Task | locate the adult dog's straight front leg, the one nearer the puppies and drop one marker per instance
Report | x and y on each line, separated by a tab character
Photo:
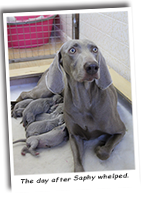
77	146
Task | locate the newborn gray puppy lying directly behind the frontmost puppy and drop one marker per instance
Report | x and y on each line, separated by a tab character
37	128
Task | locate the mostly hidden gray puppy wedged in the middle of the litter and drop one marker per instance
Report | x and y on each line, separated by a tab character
54	114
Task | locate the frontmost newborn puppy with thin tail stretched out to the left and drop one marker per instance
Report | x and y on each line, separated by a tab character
50	139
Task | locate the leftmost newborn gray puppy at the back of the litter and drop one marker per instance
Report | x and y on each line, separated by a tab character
19	107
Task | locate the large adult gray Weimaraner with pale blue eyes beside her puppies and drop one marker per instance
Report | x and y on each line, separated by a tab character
90	99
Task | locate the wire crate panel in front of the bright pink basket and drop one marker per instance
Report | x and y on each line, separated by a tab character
38	36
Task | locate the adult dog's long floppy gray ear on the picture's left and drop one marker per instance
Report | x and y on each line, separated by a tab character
54	78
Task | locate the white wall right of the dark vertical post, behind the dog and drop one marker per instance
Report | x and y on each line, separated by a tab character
109	30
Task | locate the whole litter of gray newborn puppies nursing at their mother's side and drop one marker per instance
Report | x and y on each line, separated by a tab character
43	121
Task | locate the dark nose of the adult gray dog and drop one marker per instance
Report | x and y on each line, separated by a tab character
91	68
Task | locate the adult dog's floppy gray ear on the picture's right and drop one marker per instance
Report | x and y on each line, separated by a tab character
105	79
